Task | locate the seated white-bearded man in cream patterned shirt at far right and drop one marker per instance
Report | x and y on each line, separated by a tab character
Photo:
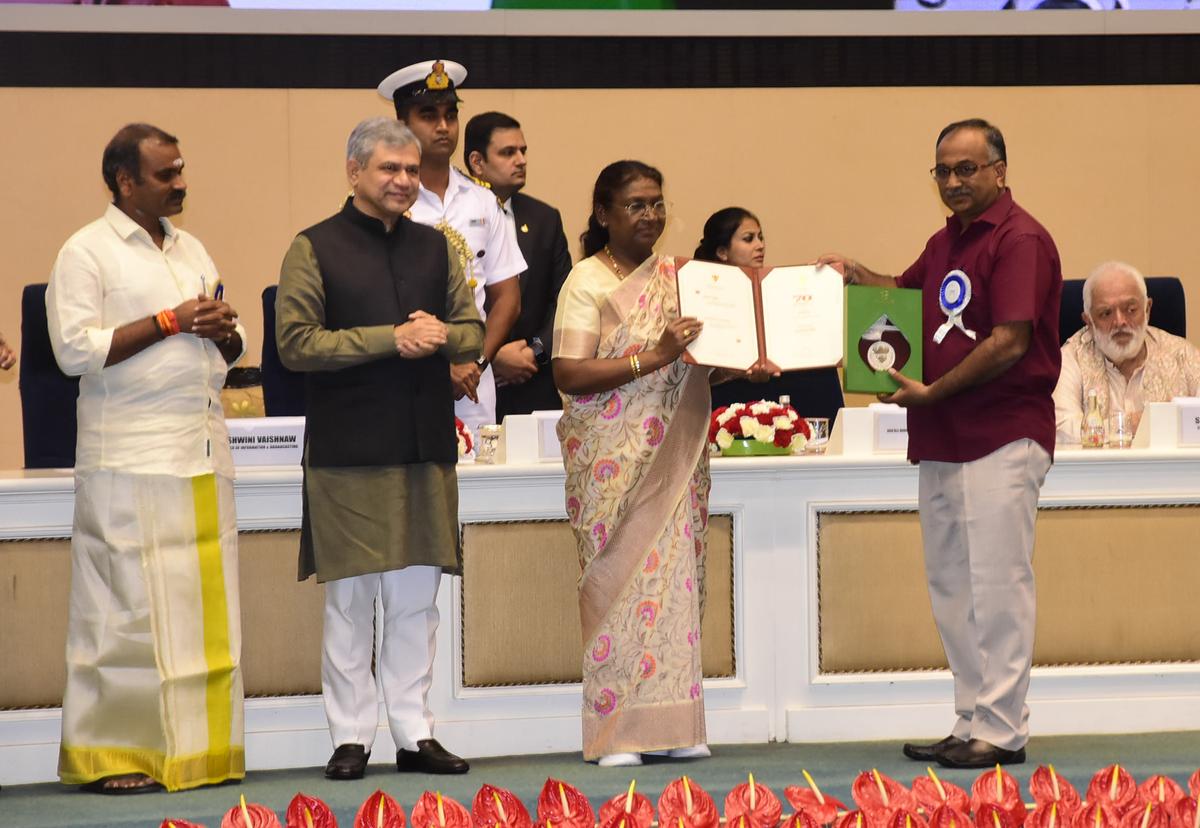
1120	355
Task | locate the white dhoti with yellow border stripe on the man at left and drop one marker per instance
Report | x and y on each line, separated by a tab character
154	634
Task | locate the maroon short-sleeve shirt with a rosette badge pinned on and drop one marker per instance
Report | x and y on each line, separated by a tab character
1016	277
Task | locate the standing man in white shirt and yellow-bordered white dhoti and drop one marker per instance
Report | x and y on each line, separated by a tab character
154	695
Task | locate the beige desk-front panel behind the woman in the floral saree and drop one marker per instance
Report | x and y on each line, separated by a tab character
521	613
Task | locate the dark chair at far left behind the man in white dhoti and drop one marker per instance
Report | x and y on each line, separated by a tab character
47	395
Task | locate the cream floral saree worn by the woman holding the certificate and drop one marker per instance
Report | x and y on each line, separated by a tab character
638	500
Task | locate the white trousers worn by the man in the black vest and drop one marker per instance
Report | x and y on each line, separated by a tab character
405	659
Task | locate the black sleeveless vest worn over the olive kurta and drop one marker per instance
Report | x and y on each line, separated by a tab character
392	411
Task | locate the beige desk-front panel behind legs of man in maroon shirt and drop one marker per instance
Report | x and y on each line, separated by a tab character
1097	603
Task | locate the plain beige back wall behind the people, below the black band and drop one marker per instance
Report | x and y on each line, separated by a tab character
827	170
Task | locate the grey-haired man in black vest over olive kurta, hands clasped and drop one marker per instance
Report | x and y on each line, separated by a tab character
375	308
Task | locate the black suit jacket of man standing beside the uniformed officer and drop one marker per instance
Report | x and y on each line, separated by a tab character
543	244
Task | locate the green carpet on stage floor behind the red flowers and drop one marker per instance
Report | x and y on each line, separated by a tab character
835	766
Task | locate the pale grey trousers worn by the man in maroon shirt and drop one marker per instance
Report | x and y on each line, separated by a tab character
977	526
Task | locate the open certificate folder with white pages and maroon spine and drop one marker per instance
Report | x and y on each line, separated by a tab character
789	319
